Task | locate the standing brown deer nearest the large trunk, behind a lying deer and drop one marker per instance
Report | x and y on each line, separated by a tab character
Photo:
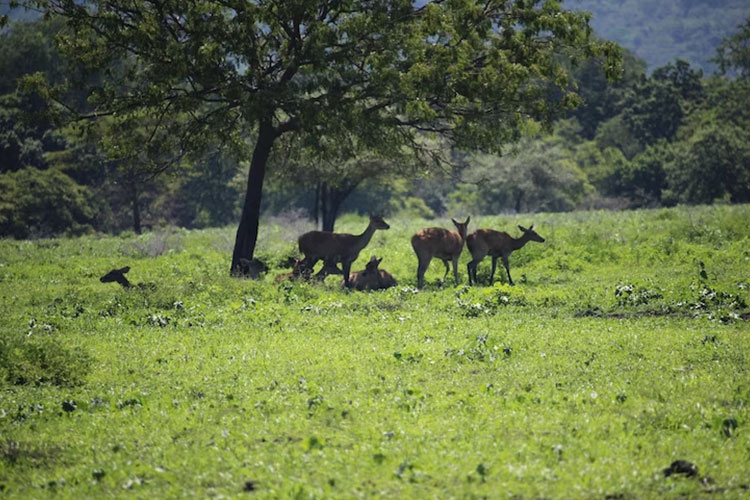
337	247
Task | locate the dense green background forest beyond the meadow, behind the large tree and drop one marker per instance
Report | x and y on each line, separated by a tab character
662	137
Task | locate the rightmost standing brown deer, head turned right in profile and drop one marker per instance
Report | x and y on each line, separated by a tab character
497	244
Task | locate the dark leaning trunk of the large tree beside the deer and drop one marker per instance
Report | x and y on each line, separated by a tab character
247	232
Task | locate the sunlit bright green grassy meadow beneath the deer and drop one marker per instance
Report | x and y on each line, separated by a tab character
623	346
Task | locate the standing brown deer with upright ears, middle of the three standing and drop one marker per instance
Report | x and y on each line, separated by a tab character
441	243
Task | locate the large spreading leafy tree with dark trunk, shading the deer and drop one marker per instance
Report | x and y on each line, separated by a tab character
381	74
